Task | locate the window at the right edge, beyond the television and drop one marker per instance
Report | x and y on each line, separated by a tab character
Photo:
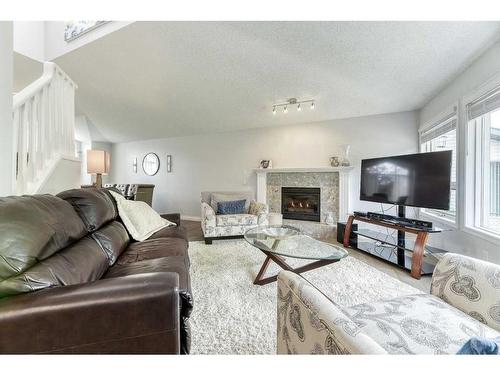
483	162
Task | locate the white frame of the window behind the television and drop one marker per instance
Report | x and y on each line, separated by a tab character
451	113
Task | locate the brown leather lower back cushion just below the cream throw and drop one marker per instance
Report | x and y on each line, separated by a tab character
113	239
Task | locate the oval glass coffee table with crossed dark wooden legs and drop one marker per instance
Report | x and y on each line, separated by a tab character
280	242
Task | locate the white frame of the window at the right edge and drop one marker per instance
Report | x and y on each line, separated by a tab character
471	193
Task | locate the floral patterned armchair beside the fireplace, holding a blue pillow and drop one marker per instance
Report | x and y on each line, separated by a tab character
230	226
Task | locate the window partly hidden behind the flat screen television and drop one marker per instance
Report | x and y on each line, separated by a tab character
442	136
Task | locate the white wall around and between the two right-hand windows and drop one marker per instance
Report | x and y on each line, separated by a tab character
478	73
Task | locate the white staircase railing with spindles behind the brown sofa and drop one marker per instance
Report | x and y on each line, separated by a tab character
44	123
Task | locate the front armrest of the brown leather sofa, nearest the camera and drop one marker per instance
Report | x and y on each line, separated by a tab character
131	314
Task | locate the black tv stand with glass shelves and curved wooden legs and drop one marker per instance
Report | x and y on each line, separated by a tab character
409	254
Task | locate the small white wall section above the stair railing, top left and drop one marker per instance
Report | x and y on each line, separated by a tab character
29	39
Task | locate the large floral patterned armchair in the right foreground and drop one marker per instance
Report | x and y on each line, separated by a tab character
464	302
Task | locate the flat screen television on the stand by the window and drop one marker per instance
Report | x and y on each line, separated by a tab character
417	180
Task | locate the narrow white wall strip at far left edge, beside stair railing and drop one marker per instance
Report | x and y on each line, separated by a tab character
6	123
